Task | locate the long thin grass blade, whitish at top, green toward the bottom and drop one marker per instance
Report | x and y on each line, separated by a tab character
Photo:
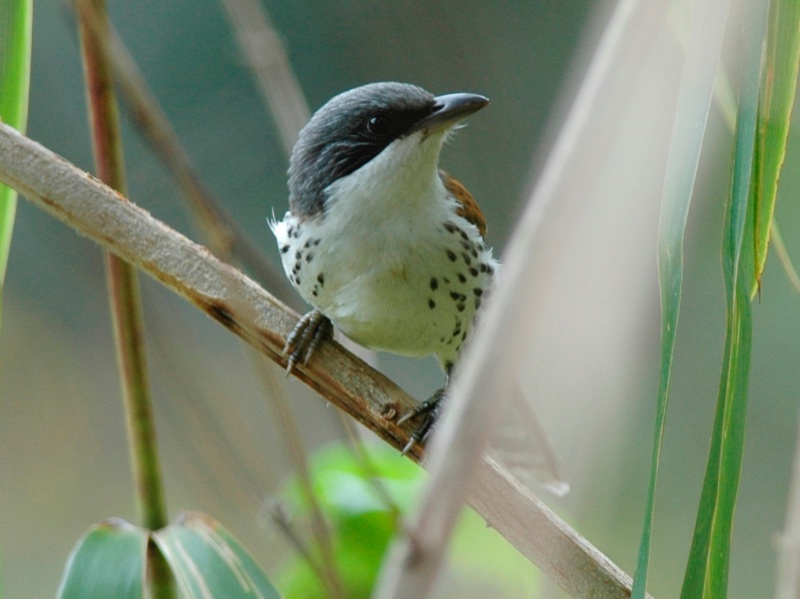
694	100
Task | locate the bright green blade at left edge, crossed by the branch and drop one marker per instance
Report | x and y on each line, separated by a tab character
16	18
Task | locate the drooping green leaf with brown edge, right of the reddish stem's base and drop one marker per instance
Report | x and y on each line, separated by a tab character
207	561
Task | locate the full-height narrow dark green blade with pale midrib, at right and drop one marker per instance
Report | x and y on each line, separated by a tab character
707	569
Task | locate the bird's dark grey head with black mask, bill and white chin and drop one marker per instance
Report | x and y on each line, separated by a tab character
402	124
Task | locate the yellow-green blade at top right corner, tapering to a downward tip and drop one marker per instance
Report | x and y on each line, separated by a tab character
778	88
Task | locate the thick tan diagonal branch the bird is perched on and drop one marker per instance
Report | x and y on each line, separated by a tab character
188	269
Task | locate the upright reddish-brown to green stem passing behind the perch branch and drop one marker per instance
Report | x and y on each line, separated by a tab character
125	299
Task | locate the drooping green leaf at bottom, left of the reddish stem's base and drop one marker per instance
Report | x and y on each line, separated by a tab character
108	561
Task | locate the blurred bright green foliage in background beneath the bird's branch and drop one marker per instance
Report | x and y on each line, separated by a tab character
363	501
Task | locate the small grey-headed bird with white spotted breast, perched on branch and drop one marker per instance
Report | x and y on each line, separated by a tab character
381	242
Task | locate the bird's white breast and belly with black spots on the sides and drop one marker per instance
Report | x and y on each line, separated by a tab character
380	262
